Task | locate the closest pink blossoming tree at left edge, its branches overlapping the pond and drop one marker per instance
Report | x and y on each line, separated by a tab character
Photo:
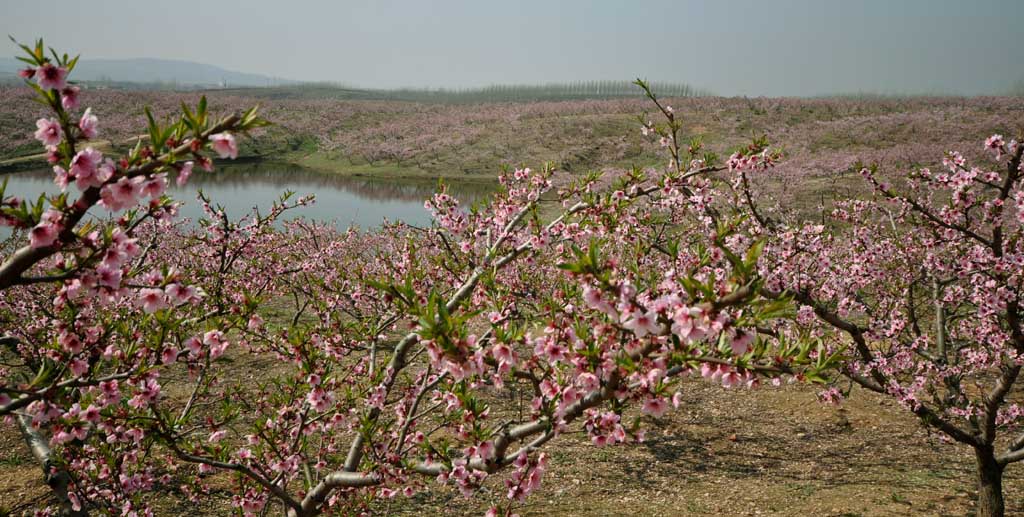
90	315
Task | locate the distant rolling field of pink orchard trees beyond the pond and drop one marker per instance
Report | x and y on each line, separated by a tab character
822	138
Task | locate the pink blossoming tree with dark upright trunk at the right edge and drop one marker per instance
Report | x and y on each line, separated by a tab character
925	282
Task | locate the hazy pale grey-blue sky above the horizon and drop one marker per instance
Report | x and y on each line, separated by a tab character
749	48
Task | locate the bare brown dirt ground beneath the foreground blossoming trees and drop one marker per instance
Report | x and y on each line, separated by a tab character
764	452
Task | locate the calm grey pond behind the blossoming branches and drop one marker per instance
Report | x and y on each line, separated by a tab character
364	202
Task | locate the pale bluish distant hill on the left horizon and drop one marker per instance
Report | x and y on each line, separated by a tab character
168	73
